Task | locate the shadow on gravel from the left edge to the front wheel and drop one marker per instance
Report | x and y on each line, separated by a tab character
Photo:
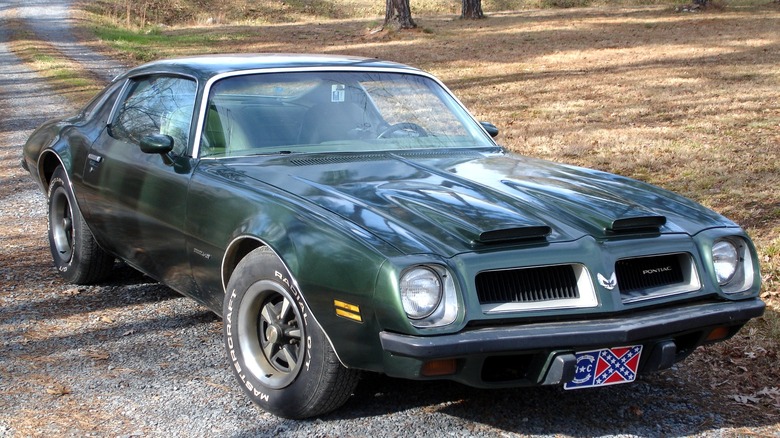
114	302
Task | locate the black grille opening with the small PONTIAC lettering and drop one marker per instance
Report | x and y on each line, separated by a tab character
643	276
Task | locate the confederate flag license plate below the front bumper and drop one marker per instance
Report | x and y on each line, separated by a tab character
609	366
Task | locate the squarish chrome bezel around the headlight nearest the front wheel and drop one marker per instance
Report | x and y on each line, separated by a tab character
443	308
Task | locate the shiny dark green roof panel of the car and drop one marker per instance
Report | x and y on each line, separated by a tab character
207	66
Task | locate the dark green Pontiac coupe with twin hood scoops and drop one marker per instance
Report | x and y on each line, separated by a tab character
347	214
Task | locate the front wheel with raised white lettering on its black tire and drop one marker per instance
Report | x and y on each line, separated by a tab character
277	351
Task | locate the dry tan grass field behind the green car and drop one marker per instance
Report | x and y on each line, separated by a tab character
689	102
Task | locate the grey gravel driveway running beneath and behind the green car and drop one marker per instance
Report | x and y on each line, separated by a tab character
133	358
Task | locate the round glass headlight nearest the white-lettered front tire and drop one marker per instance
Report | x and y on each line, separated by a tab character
421	292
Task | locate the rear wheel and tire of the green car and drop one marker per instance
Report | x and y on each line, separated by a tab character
76	255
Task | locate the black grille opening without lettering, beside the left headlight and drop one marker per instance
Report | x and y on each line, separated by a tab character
527	285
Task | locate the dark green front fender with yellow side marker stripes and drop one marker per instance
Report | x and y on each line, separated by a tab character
334	263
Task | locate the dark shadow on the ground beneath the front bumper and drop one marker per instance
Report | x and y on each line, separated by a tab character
667	403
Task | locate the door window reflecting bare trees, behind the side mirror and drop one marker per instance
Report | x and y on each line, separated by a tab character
156	105
